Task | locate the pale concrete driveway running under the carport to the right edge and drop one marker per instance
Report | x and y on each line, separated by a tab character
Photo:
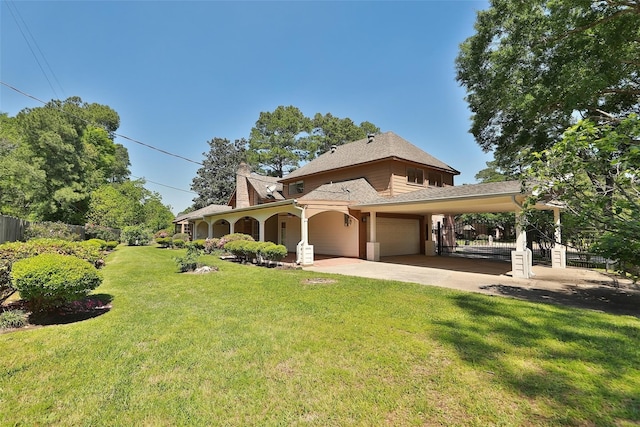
572	286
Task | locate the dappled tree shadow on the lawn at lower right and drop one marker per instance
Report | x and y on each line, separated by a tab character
582	365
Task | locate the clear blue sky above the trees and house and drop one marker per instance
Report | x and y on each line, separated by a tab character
182	73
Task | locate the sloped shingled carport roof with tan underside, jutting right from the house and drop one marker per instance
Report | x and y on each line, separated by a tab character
503	196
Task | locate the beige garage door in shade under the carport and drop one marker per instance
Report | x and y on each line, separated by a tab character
398	236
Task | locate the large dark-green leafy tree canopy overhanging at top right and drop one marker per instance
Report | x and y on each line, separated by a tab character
533	67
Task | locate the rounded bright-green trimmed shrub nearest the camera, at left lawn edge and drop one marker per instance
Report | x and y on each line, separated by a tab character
49	281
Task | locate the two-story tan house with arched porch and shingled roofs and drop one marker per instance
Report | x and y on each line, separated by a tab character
370	198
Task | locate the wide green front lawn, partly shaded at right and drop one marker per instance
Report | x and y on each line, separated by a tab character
255	346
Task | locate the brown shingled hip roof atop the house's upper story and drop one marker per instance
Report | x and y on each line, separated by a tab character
384	146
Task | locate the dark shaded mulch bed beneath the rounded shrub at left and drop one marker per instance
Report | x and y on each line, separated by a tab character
92	306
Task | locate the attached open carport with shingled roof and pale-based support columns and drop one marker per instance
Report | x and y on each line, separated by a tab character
493	197
